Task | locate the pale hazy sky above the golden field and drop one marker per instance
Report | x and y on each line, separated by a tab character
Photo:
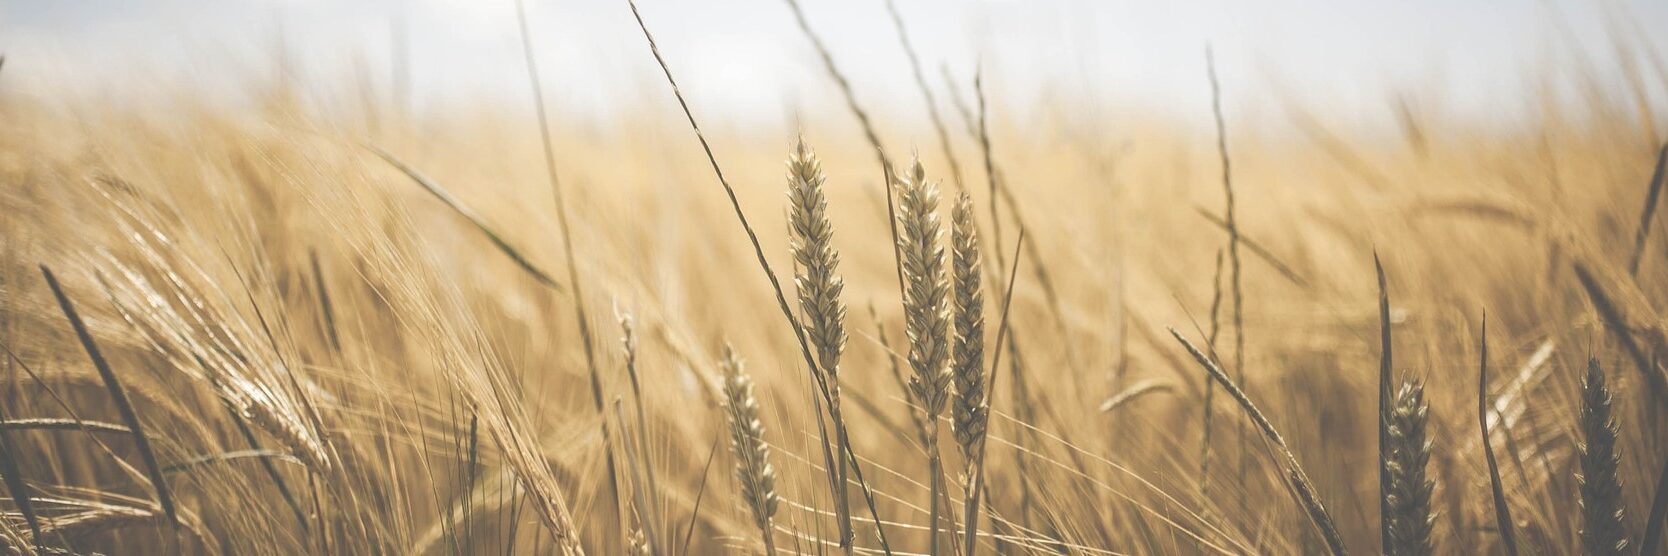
746	63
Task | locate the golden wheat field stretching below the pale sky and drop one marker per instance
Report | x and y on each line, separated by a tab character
279	330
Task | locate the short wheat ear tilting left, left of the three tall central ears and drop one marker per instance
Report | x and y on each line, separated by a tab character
753	453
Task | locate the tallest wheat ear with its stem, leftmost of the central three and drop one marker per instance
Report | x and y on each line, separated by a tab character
820	286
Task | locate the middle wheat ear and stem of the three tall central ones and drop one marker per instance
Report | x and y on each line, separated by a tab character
927	316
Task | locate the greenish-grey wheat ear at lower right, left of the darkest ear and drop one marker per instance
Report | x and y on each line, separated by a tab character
1407	488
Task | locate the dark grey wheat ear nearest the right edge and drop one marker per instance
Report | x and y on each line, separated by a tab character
1602	508
